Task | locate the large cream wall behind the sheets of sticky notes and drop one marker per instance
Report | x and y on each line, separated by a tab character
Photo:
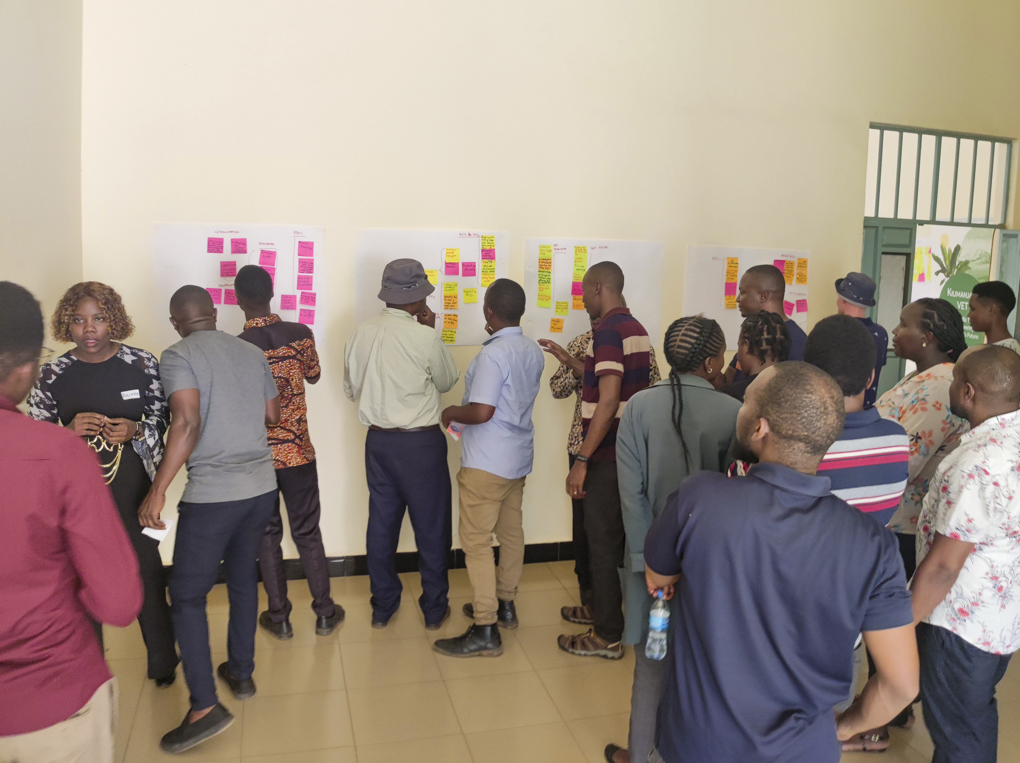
735	123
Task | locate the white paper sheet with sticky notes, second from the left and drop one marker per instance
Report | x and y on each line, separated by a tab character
462	265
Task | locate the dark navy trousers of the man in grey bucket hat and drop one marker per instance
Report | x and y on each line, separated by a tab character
409	473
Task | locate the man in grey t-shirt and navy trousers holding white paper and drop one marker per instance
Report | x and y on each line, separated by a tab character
222	397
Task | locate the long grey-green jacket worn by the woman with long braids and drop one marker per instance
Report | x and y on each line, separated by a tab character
651	467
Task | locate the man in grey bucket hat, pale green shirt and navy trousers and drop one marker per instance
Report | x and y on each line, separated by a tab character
395	368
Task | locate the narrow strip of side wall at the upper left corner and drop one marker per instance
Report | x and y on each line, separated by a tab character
40	145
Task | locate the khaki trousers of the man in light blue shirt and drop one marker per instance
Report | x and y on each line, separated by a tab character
491	504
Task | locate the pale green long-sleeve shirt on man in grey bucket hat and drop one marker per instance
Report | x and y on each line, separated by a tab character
395	369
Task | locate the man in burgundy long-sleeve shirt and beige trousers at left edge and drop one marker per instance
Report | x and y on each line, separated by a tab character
65	558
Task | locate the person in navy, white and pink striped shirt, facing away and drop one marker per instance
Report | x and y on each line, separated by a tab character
868	465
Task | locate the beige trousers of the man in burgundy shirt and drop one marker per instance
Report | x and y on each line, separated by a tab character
85	738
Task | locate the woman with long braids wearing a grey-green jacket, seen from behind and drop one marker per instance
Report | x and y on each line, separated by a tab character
675	429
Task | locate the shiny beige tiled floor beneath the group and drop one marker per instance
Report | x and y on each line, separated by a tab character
384	696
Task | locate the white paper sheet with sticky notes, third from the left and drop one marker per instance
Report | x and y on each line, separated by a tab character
554	270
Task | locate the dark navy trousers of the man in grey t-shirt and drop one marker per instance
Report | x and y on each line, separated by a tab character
208	535
